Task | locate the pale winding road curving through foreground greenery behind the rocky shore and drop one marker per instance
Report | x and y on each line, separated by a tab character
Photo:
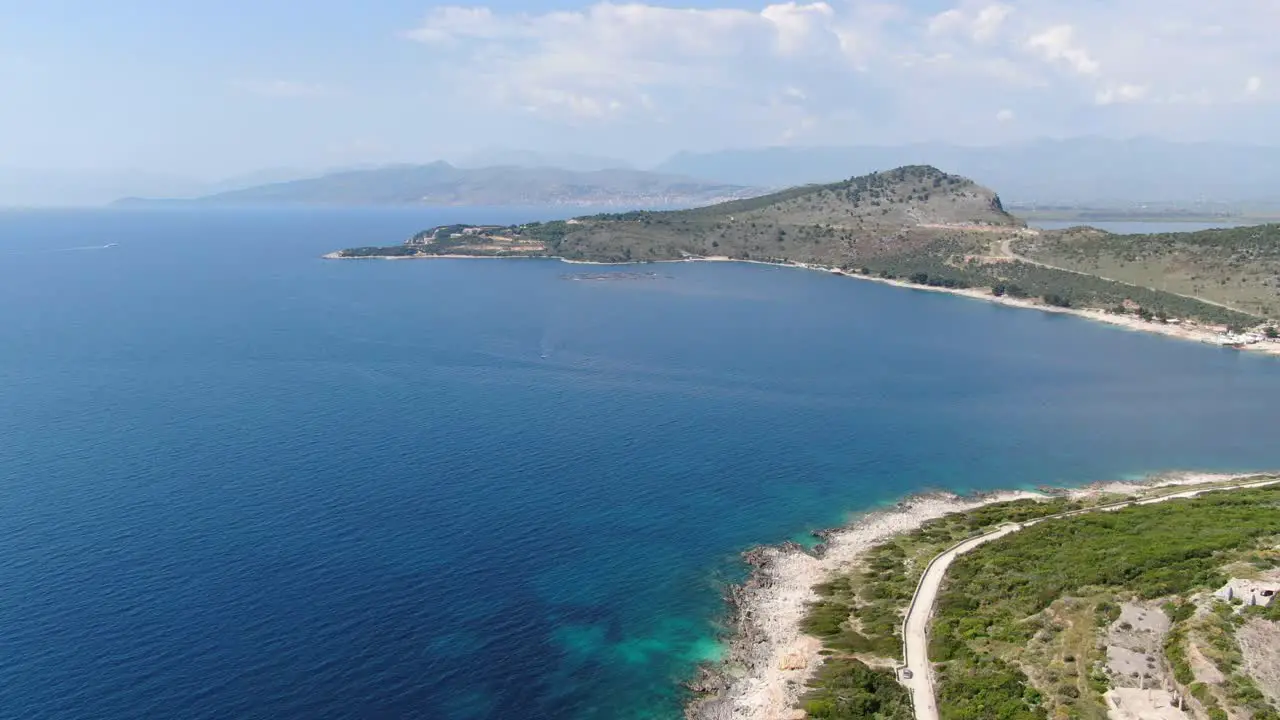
918	672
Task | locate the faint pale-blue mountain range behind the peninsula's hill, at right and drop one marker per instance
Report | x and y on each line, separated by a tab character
1082	171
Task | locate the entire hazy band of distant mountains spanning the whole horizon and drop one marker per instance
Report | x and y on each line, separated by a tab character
1094	172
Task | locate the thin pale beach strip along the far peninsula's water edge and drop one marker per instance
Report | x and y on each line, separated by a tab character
1188	332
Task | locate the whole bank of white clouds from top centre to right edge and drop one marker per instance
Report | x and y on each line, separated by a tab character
834	70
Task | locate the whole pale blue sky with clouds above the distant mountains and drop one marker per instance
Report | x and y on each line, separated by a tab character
222	88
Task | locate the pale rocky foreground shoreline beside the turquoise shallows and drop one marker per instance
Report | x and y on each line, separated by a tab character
770	659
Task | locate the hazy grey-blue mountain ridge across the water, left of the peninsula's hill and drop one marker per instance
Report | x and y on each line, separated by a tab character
445	185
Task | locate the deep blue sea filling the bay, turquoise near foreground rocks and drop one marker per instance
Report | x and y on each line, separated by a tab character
240	481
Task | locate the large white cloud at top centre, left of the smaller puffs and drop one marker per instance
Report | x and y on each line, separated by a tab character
609	61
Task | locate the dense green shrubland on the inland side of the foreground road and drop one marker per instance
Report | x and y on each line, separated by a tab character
996	598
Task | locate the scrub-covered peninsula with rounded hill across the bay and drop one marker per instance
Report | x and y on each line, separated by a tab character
921	227
